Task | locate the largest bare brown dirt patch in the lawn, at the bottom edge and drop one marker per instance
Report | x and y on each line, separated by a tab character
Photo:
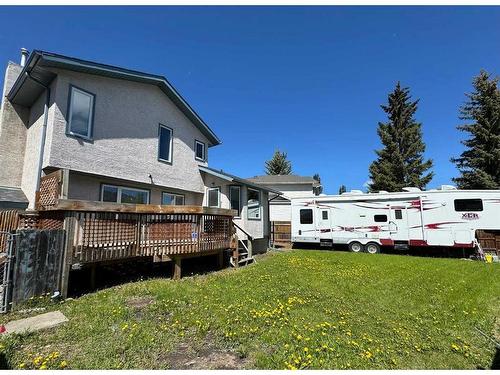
207	357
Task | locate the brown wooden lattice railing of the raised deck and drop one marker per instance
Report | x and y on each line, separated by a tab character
98	231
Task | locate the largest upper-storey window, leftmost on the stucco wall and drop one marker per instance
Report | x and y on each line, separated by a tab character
80	113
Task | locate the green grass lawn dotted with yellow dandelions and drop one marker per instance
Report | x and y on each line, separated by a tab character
294	309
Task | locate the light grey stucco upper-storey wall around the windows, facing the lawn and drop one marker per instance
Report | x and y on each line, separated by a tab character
125	134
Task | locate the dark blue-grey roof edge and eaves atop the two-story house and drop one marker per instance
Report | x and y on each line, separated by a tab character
25	91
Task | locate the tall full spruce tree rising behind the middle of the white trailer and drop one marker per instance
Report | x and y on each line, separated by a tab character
401	161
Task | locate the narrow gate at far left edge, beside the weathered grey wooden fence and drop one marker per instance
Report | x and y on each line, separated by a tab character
7	240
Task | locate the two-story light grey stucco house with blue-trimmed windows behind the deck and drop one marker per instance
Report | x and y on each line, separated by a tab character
119	135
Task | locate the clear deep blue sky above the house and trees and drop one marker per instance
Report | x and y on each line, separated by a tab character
306	80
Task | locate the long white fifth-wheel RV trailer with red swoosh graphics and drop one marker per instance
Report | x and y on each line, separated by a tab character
444	217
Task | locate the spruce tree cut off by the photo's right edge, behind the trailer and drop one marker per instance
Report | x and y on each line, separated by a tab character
479	164
